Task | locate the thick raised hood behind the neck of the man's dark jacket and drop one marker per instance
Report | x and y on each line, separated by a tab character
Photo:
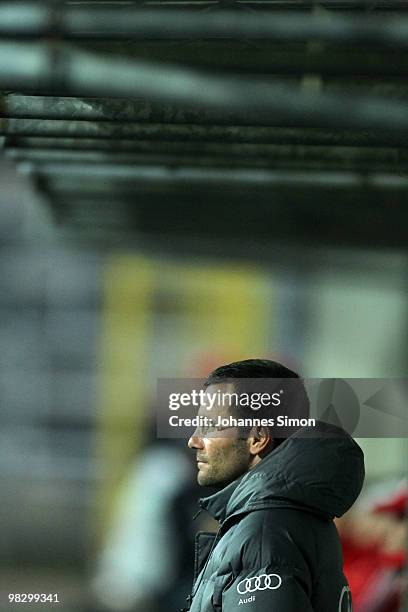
318	469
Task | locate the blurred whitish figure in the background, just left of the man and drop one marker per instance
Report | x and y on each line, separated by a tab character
139	564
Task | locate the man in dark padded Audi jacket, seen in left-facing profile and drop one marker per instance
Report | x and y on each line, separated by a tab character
277	548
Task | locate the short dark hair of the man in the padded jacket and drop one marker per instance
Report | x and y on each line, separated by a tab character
243	375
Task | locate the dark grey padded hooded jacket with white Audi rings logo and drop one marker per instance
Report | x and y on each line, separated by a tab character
277	549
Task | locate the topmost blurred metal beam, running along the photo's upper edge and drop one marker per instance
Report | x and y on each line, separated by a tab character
32	19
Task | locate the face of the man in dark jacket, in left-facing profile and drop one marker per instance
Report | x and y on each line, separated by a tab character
220	458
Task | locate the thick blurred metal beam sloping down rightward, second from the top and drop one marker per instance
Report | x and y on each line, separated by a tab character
265	103
